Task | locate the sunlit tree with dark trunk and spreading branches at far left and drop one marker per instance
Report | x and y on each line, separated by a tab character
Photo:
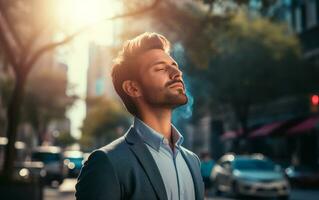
22	25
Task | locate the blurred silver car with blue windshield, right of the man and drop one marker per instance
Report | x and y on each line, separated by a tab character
254	175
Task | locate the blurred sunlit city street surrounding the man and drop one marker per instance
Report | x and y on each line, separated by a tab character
250	67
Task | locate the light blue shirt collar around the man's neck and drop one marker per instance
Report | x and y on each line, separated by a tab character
154	138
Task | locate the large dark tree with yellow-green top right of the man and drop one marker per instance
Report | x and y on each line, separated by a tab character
257	62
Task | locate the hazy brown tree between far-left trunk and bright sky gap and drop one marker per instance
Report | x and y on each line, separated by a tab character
46	97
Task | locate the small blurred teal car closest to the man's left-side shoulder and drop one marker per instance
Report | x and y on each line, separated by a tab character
73	161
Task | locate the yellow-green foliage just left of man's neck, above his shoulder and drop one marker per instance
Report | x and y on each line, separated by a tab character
105	121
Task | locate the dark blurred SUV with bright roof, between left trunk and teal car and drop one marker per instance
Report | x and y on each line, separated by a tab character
52	158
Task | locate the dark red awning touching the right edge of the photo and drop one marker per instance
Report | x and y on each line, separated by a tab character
304	126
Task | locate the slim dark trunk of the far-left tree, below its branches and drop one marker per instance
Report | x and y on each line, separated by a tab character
13	116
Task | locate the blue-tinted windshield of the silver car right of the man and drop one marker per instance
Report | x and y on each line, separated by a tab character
253	164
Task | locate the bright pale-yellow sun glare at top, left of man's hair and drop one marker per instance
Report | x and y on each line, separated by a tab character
72	15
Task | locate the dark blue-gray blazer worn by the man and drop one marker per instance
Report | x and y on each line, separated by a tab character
125	169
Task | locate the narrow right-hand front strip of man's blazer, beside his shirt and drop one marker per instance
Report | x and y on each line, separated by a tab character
198	185
